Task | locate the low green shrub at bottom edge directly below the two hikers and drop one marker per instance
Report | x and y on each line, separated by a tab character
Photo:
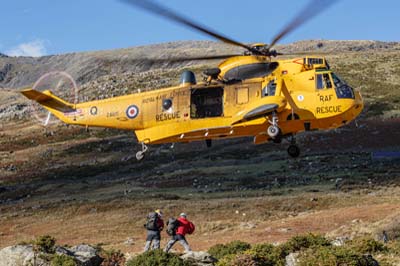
157	258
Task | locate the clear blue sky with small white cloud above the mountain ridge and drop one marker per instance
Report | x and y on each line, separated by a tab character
44	27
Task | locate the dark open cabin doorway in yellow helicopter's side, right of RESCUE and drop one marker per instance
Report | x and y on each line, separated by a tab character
206	102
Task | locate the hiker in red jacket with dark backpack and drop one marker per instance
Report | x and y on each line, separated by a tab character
177	229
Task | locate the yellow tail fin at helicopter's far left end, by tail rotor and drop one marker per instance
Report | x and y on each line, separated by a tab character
49	100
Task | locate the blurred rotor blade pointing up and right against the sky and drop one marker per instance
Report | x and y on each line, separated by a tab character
313	8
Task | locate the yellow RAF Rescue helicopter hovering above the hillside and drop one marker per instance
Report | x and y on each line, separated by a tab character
245	95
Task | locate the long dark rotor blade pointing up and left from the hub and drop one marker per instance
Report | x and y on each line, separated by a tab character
162	11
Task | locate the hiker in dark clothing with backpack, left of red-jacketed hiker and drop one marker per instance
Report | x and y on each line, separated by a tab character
154	226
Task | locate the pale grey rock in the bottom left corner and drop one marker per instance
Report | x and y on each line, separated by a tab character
20	255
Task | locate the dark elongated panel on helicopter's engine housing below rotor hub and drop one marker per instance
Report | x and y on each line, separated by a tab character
249	71
